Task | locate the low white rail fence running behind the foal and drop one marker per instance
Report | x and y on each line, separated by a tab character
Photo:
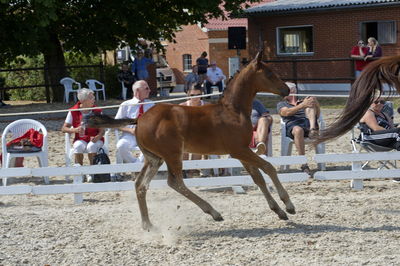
355	174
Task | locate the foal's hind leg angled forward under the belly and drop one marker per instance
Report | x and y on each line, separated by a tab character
175	181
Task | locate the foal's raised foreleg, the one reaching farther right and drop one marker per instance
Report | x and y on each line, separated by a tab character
249	157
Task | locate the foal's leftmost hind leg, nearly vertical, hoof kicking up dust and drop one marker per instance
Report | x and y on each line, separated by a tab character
149	170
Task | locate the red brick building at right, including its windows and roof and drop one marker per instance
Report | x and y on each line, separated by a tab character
309	29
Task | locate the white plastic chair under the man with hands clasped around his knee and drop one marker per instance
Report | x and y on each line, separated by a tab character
287	143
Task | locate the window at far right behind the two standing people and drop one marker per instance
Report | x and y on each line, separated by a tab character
383	31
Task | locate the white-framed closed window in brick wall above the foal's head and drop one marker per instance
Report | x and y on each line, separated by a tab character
295	40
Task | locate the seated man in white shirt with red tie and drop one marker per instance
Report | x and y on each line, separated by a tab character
130	109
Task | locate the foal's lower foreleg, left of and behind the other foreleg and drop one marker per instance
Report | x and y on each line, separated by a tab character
260	182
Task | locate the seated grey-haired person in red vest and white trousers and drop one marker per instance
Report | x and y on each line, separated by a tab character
88	140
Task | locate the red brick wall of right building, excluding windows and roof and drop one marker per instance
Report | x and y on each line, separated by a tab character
334	33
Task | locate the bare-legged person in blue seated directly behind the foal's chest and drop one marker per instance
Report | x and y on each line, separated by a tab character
262	121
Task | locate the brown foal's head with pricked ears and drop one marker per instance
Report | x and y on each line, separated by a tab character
265	80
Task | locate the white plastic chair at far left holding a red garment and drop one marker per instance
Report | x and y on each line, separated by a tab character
17	129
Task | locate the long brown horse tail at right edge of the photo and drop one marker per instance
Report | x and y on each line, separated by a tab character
367	87
